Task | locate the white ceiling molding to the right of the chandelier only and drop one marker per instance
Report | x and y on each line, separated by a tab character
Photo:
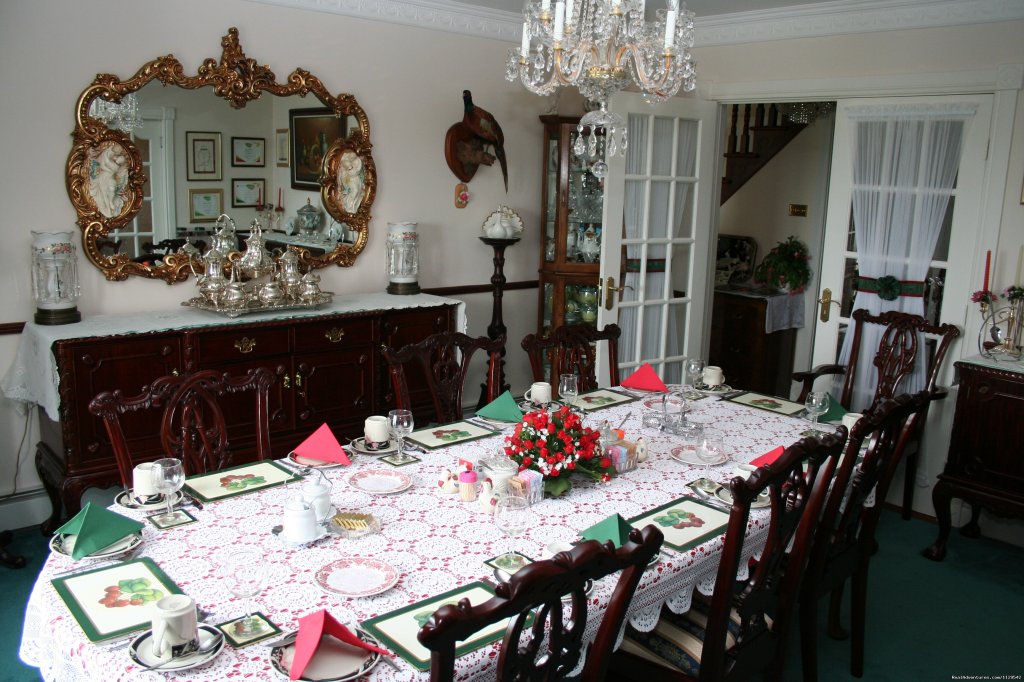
849	17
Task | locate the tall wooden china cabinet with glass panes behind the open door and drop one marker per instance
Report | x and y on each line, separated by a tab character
571	214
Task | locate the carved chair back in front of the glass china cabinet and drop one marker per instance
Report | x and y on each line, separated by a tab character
571	350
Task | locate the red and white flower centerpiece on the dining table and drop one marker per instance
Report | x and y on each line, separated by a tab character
559	445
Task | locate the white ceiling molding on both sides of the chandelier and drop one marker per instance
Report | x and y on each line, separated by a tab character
806	21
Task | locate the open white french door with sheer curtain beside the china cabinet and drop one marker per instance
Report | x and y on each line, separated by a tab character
659	218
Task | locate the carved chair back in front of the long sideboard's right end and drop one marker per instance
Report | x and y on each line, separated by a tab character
445	361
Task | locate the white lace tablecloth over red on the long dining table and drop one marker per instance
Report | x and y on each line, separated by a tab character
437	543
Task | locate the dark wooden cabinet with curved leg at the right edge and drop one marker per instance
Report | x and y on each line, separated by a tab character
986	464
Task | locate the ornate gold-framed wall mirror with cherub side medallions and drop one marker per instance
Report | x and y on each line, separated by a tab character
132	201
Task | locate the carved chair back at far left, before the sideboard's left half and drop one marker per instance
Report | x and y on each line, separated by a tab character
193	427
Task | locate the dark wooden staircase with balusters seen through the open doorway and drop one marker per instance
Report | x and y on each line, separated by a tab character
752	143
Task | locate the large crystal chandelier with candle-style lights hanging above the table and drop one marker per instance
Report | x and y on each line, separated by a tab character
602	48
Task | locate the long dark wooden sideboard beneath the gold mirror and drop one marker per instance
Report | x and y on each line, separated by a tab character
329	369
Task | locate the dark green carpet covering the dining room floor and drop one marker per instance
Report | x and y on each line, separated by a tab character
926	621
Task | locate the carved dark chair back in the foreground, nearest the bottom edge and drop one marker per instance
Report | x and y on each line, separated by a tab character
538	591
